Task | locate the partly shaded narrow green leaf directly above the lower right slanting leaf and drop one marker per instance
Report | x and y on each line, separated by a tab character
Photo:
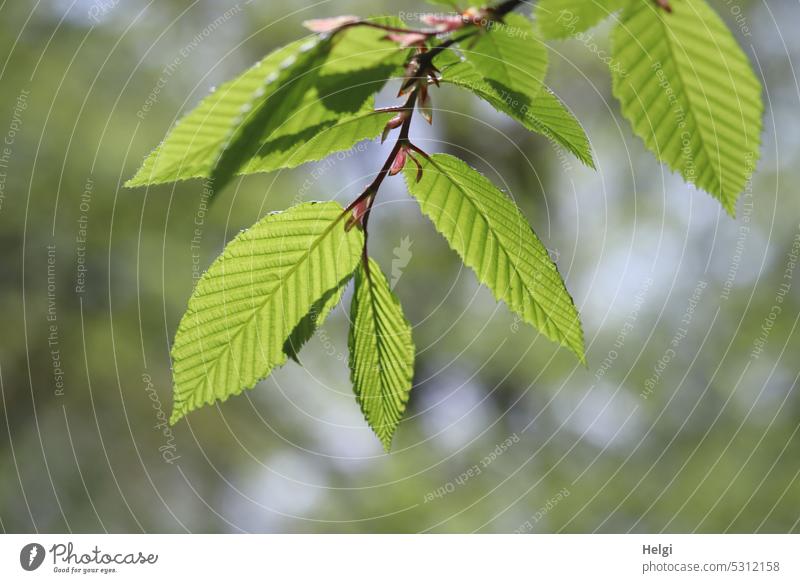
545	114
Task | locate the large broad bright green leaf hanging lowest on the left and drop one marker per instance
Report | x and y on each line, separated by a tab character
252	298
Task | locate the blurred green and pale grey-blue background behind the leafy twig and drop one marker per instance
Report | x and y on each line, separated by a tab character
686	419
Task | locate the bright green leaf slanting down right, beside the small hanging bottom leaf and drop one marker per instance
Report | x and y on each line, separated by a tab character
492	237
